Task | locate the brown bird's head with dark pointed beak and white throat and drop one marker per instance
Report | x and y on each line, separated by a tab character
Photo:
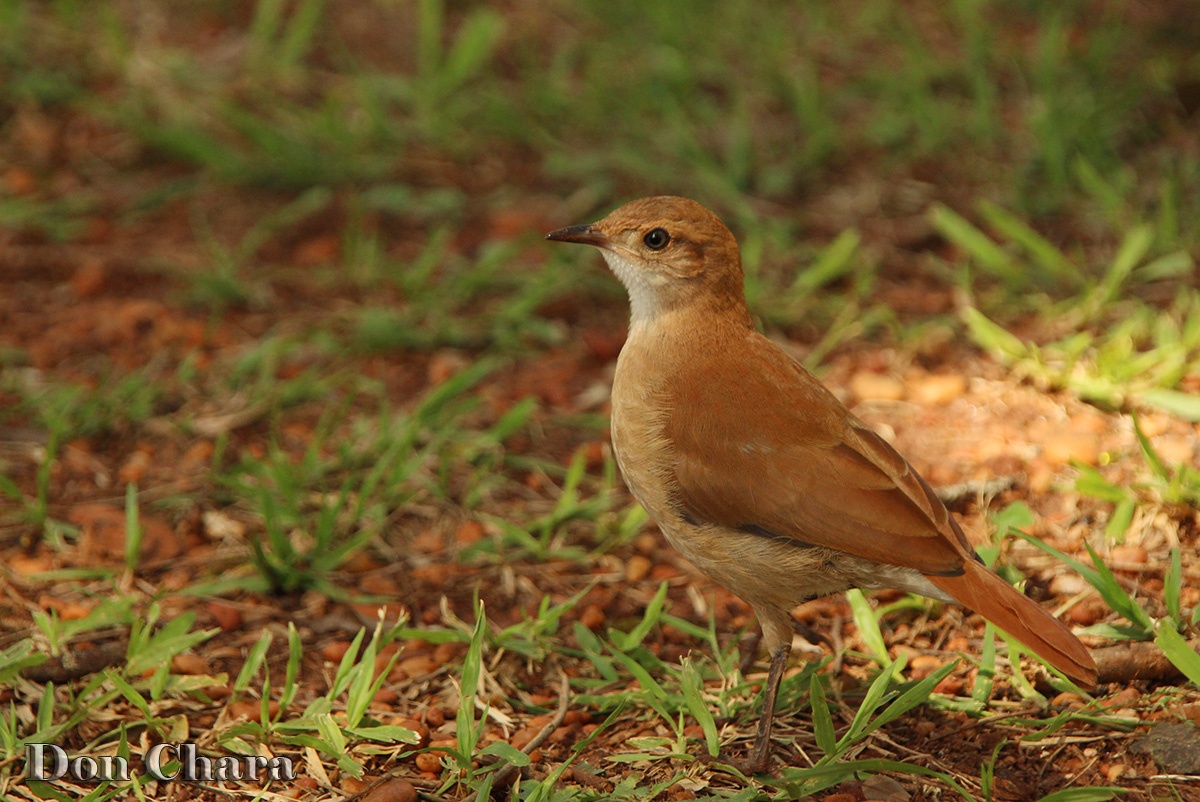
670	253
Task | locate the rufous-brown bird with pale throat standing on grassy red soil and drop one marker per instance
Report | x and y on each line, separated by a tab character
755	471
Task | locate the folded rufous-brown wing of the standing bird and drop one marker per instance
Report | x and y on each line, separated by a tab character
801	466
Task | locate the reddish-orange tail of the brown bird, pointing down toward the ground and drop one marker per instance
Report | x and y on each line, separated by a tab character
1023	619
